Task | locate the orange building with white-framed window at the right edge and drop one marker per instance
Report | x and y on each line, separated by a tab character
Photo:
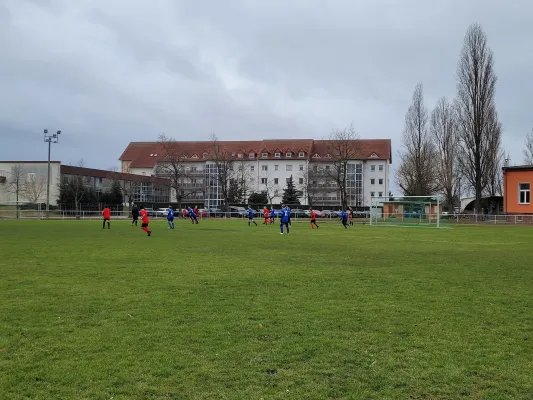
517	189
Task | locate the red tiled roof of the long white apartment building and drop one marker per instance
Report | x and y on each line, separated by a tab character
148	154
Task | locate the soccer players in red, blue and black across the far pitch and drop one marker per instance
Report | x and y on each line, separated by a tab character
269	217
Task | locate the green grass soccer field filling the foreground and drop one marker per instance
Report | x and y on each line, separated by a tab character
222	311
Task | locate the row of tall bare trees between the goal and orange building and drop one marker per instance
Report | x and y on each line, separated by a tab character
458	145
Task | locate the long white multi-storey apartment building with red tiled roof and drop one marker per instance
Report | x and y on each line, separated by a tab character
267	165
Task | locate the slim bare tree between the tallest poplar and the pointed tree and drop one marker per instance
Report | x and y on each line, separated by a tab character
444	132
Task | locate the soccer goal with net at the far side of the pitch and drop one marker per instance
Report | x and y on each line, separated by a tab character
406	211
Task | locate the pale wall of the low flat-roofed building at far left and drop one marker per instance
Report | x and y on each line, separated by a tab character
40	170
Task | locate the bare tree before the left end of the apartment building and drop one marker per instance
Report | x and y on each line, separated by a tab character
173	168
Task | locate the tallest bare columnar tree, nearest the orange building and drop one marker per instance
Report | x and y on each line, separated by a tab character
476	82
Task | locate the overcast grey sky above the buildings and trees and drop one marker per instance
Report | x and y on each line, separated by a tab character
109	72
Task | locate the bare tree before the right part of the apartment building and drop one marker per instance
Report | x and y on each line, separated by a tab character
342	147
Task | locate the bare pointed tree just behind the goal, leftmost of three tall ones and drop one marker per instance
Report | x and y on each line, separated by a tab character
417	174
